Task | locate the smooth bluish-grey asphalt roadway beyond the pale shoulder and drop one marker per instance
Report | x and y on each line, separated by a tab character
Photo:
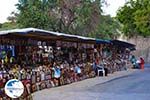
135	86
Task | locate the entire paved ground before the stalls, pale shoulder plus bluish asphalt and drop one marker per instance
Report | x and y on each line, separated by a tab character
135	86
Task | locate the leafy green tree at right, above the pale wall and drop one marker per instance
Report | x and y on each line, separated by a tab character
135	17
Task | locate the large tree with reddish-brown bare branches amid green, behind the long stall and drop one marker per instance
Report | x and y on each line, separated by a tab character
69	16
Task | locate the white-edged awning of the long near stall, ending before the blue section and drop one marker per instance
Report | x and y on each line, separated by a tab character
34	32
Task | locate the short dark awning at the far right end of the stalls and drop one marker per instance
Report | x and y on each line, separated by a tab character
123	44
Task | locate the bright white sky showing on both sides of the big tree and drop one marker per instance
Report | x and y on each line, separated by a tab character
7	6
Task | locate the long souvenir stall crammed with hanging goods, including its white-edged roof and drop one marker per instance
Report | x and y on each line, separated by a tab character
44	59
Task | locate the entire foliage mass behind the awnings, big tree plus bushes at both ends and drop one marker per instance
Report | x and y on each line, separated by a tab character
81	17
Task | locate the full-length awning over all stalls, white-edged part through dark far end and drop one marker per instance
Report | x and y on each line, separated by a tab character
50	35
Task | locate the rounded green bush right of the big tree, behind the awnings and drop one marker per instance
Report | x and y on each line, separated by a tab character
108	28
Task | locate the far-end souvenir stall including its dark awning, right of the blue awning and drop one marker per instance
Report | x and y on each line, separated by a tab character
116	55
